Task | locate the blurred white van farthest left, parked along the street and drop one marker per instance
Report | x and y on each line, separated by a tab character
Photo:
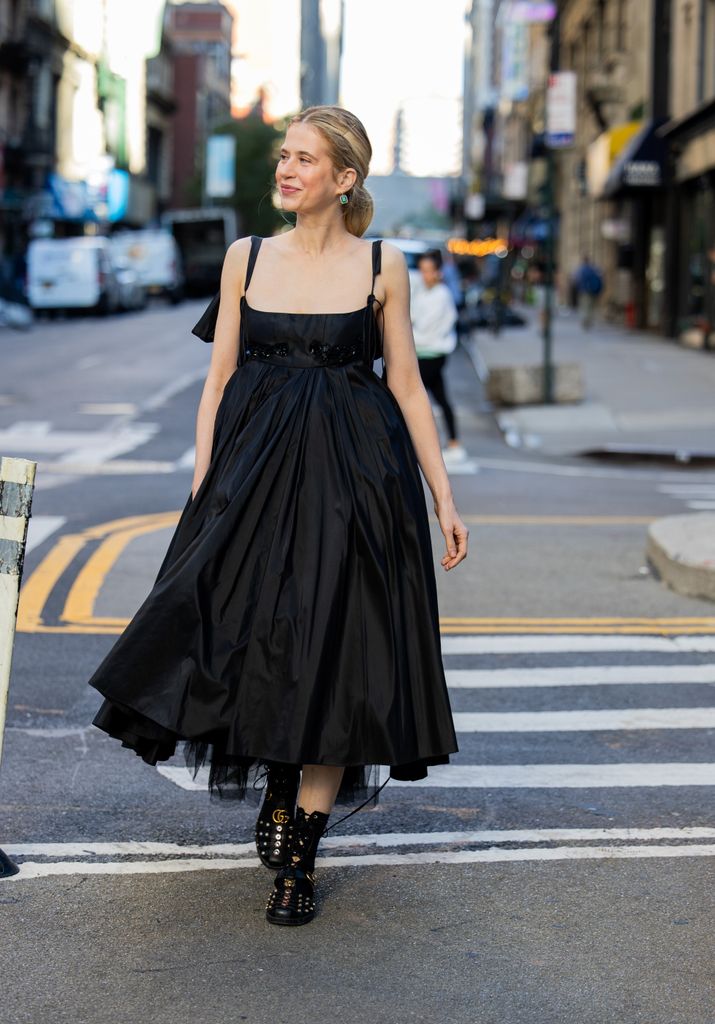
72	274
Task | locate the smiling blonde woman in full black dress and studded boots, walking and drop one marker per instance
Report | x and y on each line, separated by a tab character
293	624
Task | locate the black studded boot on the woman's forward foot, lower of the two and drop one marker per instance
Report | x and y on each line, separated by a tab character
293	899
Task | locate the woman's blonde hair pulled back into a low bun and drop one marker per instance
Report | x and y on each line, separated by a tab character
349	146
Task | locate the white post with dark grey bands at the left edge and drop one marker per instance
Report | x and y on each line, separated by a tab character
17	486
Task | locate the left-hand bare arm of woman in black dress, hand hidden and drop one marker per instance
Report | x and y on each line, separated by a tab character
225	355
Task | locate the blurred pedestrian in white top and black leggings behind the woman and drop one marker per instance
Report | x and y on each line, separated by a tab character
434	317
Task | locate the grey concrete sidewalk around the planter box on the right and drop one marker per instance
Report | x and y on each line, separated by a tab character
641	390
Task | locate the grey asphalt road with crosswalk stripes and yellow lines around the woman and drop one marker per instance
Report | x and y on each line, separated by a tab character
560	870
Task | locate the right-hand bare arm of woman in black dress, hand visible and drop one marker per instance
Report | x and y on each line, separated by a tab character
406	385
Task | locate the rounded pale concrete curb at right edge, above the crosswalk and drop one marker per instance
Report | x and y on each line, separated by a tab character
682	548
